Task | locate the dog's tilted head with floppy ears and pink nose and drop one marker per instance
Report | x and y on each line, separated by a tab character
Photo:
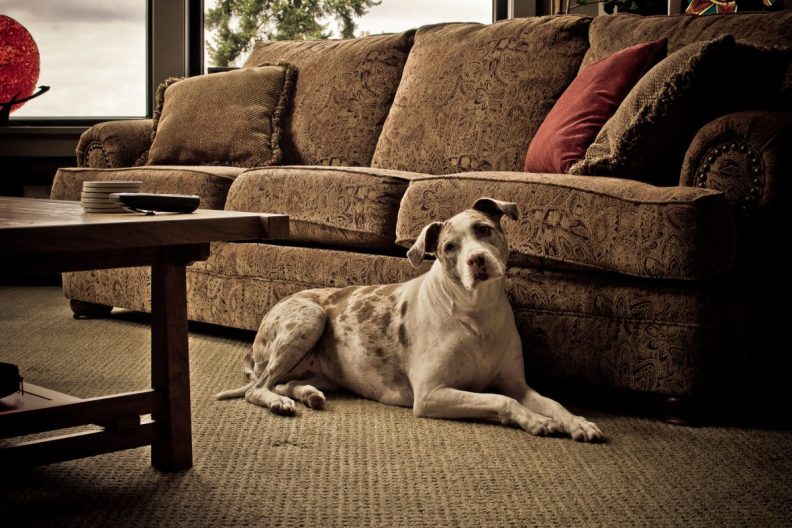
471	246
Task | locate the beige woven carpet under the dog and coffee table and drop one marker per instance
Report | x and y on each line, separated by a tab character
361	463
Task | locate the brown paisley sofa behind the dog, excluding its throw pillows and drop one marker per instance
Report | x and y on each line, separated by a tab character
659	289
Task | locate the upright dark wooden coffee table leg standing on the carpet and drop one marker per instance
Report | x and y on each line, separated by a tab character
170	368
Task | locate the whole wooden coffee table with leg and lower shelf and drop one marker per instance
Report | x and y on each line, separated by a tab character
42	236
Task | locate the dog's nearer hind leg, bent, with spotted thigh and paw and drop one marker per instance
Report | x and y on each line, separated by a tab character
287	335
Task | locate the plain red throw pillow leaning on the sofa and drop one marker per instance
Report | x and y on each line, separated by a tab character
586	105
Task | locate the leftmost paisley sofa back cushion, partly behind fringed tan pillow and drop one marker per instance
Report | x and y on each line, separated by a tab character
343	91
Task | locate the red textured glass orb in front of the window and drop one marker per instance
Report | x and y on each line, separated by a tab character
19	61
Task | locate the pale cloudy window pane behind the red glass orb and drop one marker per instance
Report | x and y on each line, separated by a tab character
93	57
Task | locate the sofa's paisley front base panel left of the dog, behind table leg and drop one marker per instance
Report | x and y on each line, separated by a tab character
240	282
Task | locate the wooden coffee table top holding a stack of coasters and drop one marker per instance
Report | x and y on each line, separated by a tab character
44	226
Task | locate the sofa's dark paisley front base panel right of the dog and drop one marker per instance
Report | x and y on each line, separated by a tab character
650	336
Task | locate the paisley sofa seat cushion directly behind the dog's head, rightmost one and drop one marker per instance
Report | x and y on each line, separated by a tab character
593	223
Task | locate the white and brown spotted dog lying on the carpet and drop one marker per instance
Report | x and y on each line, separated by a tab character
434	343
